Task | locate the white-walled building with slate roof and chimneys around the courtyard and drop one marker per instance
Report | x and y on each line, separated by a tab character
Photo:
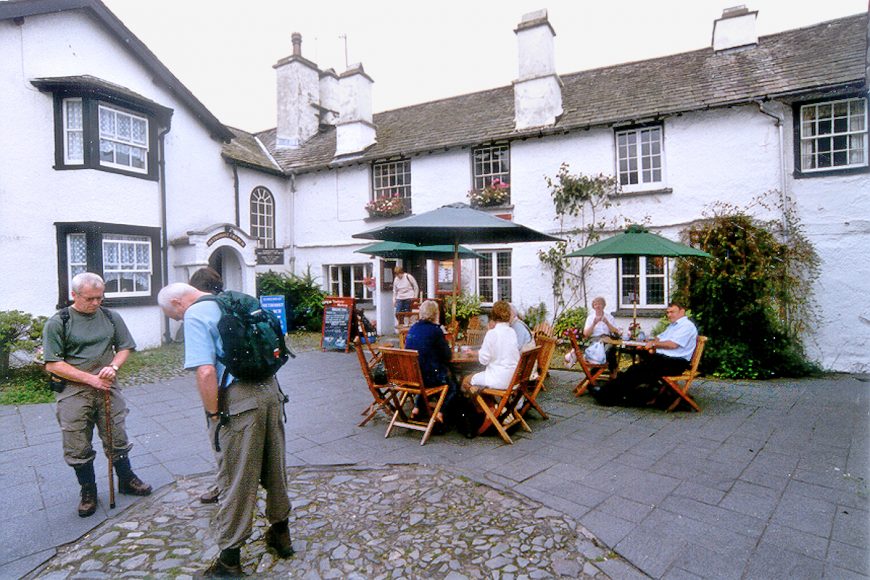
681	133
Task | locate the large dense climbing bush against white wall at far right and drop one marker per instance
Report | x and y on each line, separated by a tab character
754	298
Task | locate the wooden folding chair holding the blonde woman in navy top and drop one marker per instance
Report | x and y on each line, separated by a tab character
405	383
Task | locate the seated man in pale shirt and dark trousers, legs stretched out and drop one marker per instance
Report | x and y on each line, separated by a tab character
670	354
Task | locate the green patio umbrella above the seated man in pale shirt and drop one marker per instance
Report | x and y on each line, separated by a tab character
636	240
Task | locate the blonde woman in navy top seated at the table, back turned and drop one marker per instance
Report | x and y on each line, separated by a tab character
427	337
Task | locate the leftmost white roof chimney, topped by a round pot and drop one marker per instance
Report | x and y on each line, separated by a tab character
298	97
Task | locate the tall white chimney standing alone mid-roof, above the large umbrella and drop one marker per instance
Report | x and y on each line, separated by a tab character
537	90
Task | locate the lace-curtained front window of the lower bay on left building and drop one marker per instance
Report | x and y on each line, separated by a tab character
127	265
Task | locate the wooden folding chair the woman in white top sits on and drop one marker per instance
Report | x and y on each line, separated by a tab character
500	405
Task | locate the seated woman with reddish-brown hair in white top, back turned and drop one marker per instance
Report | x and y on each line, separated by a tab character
500	351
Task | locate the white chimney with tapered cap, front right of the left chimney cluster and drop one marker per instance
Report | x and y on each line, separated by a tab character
354	131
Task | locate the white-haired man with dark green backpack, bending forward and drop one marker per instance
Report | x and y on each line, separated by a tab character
244	415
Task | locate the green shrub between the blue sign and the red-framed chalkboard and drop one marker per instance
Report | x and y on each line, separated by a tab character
302	294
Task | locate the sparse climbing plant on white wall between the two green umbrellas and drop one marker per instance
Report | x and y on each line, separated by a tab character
579	201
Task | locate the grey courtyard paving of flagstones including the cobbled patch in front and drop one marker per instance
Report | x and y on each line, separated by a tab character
769	481
